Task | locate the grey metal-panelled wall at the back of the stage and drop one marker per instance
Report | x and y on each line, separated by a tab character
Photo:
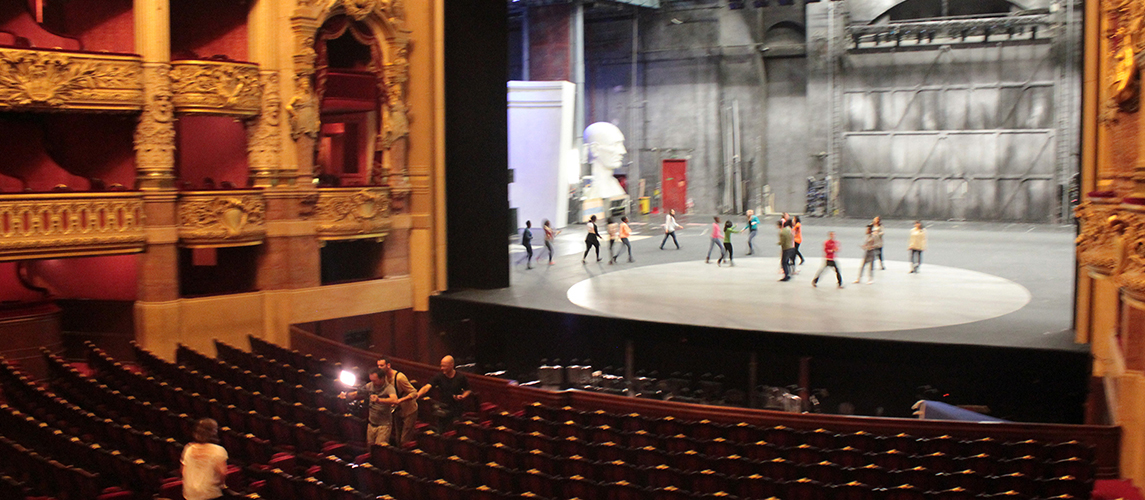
978	132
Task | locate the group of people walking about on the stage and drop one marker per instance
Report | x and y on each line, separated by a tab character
791	237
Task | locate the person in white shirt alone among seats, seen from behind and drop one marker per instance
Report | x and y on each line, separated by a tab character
204	464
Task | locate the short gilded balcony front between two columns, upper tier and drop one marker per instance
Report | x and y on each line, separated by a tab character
216	88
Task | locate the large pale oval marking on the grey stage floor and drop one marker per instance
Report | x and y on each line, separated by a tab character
749	297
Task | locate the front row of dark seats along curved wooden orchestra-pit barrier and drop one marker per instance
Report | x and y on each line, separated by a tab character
552	422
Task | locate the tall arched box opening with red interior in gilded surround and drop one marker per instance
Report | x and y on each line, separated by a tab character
348	85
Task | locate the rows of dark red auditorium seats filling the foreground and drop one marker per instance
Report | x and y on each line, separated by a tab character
539	451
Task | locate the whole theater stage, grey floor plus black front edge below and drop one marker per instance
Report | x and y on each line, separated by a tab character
992	298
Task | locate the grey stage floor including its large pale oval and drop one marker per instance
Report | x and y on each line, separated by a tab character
982	284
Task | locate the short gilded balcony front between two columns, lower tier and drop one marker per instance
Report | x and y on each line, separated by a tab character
222	219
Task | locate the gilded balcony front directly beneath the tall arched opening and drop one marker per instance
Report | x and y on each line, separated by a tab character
353	213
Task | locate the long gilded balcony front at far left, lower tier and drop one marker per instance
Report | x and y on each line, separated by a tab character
67	225
